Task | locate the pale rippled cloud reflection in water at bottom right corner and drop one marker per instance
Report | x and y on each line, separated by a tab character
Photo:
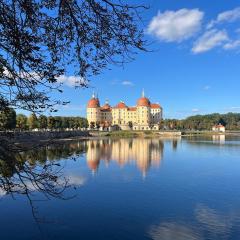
208	222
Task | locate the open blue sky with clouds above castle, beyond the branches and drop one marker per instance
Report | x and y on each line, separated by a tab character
194	68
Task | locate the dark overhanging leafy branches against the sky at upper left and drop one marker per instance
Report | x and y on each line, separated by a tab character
41	38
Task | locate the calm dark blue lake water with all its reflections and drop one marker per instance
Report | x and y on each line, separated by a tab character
173	189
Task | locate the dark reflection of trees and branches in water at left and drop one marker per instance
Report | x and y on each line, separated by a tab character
29	172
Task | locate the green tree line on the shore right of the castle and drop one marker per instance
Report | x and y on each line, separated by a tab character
204	122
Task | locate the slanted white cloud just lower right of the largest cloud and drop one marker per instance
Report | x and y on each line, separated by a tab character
209	40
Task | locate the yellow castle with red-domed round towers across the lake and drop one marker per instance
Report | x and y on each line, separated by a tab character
144	116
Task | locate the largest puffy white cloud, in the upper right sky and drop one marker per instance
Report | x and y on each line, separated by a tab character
176	26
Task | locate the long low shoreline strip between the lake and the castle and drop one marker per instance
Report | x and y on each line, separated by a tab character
36	138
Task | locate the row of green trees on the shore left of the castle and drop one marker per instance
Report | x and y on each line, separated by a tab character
9	120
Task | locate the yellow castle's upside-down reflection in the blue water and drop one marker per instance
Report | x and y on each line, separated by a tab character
142	152
